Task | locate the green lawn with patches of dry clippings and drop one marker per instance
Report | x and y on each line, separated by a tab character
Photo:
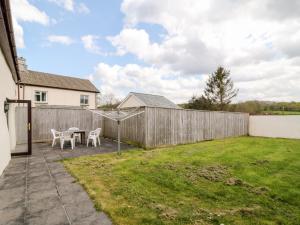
234	181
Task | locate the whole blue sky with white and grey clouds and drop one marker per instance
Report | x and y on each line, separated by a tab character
165	47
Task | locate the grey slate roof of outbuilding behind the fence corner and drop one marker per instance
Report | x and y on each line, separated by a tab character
155	100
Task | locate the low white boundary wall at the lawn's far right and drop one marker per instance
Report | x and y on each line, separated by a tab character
275	126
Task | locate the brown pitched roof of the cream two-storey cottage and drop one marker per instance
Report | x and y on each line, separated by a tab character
34	78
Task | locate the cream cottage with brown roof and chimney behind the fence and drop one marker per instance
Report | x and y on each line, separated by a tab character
55	90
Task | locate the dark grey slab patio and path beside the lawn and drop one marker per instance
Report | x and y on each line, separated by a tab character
38	190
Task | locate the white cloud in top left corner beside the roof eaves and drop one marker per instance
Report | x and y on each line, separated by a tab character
23	11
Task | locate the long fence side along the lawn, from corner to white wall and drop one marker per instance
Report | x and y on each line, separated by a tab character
179	126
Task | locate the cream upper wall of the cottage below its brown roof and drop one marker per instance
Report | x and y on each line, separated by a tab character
58	96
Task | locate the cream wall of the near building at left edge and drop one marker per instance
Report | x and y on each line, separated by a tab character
7	90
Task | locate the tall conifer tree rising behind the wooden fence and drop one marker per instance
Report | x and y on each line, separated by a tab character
220	89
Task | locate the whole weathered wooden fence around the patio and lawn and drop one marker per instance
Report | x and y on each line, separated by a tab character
155	127
